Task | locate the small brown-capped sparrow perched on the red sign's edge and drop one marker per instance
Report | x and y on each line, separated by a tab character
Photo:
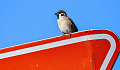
65	24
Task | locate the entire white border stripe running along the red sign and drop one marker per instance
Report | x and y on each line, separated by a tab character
65	42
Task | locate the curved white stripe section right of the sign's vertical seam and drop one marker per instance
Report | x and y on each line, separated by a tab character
110	52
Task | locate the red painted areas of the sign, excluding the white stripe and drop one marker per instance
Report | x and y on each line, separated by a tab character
68	57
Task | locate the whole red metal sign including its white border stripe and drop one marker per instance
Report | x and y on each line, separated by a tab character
86	50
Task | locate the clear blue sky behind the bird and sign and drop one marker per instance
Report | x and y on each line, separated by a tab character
23	21
